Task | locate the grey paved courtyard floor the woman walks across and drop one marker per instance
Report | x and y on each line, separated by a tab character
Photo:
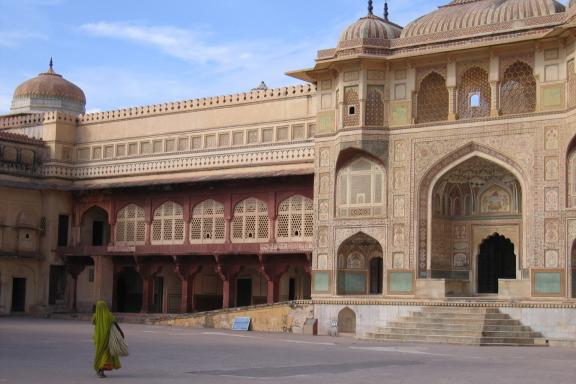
54	351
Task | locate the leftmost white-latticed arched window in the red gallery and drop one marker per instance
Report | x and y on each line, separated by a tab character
130	226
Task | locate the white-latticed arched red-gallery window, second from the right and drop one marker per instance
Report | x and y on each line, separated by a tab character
250	223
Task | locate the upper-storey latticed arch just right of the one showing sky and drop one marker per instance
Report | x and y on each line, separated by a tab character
518	90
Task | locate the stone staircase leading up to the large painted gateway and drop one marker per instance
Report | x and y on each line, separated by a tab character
459	325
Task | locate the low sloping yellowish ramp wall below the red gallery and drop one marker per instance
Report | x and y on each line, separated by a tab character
278	318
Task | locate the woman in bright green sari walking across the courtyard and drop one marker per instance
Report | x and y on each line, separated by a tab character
103	320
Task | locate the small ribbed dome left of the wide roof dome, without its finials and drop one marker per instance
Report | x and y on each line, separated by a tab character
370	29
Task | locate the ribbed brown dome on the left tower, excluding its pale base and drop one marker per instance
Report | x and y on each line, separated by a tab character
50	84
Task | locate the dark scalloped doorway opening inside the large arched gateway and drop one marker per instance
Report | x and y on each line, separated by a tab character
495	261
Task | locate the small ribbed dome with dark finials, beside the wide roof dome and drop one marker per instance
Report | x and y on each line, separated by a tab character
370	30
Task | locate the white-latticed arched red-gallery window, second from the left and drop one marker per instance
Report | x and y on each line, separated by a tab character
168	224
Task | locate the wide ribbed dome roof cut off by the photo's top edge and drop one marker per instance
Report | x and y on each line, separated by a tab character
461	14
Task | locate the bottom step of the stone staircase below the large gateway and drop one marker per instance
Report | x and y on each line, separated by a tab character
443	339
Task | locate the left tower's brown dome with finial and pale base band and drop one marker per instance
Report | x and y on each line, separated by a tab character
48	92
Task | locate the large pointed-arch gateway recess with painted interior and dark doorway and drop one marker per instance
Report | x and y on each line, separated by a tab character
476	222
